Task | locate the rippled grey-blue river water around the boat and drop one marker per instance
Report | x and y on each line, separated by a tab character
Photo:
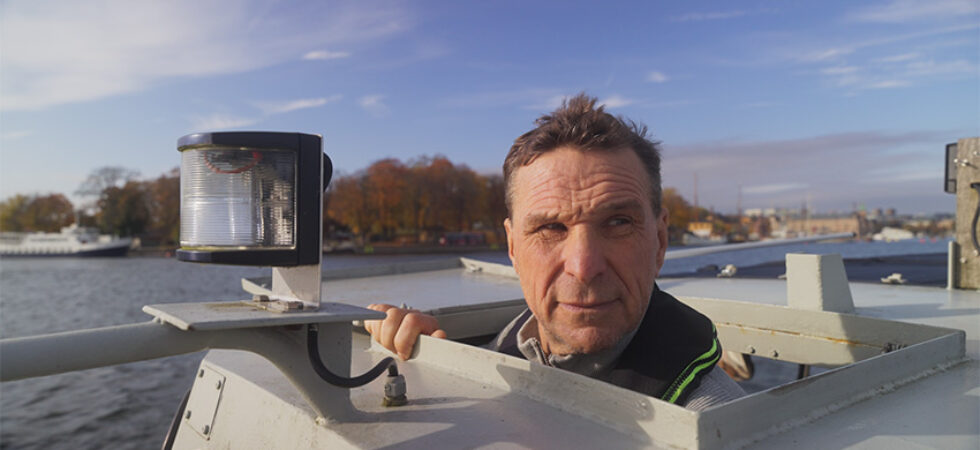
130	406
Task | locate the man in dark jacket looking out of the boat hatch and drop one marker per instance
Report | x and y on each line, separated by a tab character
586	233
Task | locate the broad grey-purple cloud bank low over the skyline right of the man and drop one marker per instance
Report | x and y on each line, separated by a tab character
833	169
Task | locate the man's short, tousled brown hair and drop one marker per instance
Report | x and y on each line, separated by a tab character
580	125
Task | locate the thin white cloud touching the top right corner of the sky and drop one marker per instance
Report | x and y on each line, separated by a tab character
898	11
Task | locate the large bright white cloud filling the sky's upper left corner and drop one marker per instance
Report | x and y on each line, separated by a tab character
67	51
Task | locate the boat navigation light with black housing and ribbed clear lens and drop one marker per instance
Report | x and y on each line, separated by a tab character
252	198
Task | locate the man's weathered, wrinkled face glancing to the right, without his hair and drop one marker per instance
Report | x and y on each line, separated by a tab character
586	245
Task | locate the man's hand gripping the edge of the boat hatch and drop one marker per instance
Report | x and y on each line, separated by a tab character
399	331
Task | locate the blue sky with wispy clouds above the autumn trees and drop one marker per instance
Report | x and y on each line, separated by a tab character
835	104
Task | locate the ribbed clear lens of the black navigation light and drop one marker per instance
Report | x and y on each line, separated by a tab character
235	197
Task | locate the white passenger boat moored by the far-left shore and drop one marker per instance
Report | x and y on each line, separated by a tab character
71	241
